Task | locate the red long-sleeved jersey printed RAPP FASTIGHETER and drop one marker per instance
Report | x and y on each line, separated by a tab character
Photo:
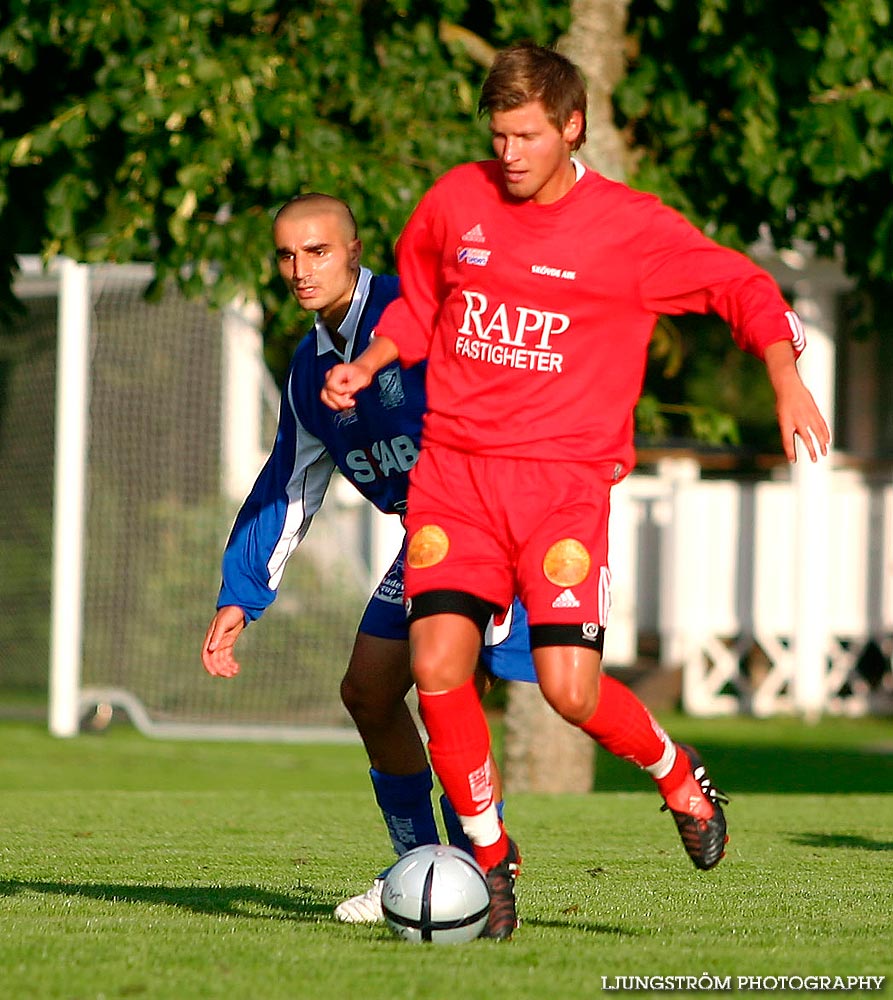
536	318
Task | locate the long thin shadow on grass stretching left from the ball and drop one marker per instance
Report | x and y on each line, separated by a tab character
250	902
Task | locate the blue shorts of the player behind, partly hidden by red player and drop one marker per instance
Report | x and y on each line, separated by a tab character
506	651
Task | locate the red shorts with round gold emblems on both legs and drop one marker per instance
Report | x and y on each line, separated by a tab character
497	527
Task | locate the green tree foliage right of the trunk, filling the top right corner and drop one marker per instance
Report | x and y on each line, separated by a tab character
747	112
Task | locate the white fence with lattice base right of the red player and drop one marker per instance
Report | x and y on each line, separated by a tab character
722	586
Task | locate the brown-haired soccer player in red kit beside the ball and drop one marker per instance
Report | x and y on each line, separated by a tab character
532	285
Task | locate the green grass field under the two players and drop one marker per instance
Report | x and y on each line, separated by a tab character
134	868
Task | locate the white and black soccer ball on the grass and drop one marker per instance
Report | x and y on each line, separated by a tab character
436	893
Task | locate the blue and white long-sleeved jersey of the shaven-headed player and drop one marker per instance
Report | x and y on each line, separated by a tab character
374	446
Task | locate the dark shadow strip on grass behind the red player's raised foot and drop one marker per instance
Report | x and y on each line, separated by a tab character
769	769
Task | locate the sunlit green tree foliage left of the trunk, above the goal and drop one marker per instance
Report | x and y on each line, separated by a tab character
145	130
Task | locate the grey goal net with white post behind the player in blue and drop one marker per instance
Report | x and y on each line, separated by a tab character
179	414
